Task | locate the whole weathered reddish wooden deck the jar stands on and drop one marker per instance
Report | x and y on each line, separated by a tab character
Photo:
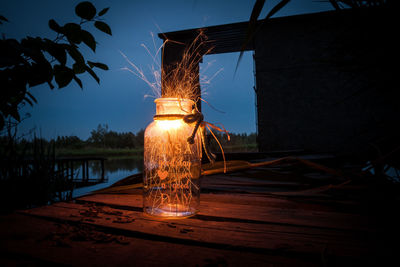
258	217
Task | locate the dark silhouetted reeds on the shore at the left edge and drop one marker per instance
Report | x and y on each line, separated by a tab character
28	174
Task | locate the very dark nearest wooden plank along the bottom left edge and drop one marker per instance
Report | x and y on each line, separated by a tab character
31	241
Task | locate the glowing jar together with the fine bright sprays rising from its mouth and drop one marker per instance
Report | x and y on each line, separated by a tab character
173	141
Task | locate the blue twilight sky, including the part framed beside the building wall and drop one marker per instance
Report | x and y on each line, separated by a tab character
119	99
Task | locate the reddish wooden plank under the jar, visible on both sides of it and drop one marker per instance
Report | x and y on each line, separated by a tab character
257	210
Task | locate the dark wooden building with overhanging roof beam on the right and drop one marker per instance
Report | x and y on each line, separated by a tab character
325	82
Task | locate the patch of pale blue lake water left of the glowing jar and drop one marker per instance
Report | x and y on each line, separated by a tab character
115	169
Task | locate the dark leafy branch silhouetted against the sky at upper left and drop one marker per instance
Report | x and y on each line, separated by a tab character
36	60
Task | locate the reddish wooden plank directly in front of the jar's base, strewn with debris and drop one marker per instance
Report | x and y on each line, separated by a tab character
261	238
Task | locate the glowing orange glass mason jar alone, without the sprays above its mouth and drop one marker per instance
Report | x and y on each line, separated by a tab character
172	166
